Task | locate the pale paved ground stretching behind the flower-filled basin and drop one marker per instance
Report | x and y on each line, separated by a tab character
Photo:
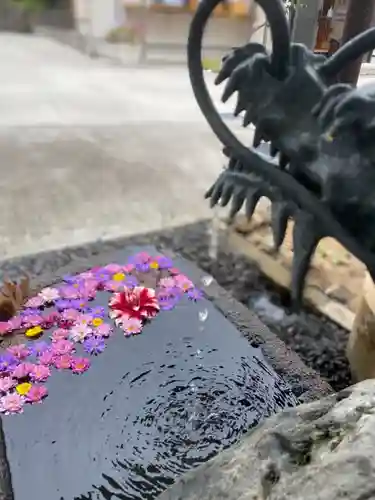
91	150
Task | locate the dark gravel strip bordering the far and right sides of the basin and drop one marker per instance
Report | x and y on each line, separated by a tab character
319	342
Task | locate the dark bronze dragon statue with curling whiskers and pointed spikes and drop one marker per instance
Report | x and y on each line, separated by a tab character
321	135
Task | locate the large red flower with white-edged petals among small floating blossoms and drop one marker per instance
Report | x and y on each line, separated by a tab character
138	302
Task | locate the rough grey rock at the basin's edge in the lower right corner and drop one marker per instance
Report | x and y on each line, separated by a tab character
322	450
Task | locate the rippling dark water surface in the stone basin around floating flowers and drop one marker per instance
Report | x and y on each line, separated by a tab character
150	408
